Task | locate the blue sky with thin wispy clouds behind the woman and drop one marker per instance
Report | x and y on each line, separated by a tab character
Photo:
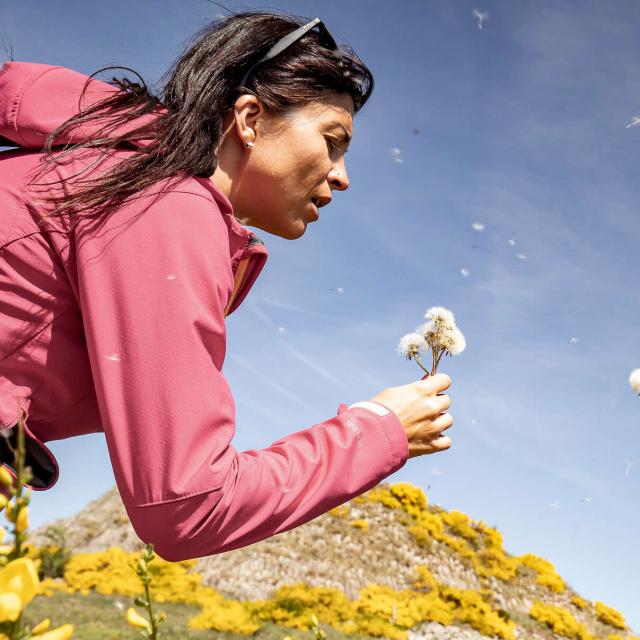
523	127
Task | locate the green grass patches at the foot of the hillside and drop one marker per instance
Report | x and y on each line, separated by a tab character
96	617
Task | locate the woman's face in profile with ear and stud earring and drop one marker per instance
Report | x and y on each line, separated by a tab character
294	165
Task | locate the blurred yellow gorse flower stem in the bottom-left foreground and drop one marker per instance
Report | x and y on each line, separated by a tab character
19	580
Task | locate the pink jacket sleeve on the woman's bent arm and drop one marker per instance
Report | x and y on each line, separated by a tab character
152	289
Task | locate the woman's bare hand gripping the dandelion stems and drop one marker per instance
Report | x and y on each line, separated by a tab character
420	407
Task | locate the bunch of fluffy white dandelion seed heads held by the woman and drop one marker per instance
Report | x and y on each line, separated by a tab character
439	334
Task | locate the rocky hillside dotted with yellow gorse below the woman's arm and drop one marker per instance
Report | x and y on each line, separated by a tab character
389	536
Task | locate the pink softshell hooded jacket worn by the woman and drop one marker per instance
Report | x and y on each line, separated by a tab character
121	329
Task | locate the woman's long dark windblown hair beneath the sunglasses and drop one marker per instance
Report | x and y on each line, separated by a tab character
201	87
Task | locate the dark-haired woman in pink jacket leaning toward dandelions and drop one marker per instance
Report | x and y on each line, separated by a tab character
123	254
